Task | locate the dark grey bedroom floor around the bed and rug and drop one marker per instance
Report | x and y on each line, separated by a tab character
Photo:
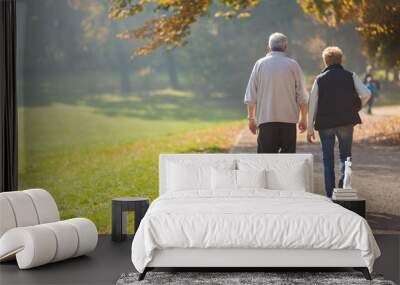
111	259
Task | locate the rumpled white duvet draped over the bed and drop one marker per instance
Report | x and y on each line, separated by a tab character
250	219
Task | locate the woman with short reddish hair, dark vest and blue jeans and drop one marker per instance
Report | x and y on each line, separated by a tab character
336	98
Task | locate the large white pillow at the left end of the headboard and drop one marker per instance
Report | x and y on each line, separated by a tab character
188	177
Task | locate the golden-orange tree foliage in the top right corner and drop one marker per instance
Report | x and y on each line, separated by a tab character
377	21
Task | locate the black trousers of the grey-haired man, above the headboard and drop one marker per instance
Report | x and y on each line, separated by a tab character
276	138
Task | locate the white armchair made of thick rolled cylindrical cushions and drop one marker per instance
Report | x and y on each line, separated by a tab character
31	232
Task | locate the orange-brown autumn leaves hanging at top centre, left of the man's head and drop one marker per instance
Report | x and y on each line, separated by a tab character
174	20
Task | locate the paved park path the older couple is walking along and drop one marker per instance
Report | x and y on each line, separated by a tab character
376	170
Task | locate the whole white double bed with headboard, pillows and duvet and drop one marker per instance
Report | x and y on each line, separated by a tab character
249	227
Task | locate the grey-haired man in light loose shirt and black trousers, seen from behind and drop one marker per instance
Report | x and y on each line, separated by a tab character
275	96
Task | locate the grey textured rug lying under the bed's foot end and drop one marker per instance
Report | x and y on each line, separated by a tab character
244	278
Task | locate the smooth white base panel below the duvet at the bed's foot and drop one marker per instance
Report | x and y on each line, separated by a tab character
189	257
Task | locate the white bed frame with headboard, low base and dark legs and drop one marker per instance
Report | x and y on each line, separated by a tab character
249	259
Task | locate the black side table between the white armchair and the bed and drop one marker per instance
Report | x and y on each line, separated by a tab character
119	208
